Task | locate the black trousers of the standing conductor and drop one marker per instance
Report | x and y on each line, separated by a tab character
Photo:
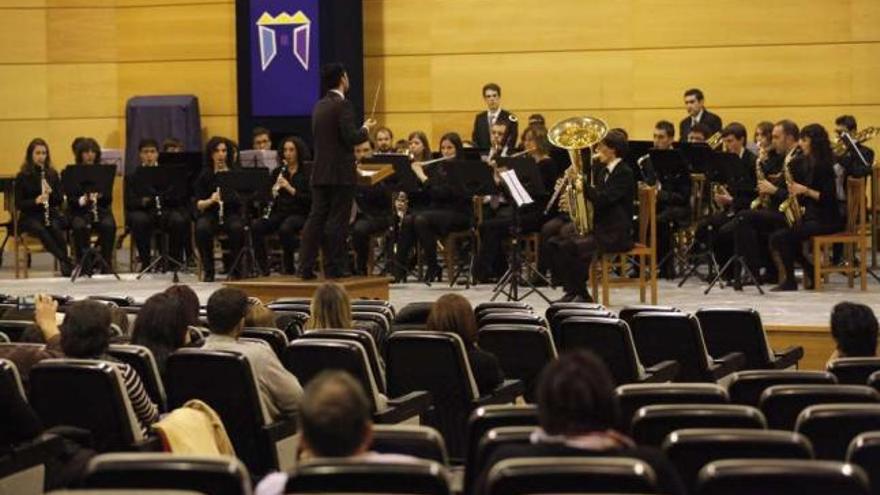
327	227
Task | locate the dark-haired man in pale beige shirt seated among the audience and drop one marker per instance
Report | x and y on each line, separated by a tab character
280	391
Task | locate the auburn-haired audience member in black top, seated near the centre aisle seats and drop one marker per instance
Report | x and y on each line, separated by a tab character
453	313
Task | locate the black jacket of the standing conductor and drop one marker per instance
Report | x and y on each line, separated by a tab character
336	135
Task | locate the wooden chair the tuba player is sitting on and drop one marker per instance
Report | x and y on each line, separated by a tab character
645	250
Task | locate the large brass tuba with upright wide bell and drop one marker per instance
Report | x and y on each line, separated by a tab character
574	134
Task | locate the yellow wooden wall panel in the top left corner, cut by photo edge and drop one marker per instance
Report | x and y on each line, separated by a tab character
17	26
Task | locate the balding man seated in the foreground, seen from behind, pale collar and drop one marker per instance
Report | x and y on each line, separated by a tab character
335	422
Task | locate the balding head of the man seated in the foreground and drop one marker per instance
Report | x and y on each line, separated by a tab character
335	416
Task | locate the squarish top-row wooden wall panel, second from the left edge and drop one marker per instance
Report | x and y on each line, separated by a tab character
81	35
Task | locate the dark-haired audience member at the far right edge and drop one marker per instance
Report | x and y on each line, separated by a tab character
854	329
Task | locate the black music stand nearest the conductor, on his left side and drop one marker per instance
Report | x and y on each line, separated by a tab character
247	186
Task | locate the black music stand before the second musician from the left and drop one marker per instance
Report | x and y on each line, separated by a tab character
87	179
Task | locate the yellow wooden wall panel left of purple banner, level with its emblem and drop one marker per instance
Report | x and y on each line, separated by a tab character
187	32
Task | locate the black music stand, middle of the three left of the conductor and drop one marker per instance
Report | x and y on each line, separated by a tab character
168	183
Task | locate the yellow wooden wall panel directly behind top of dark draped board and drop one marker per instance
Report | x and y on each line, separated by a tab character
212	81
